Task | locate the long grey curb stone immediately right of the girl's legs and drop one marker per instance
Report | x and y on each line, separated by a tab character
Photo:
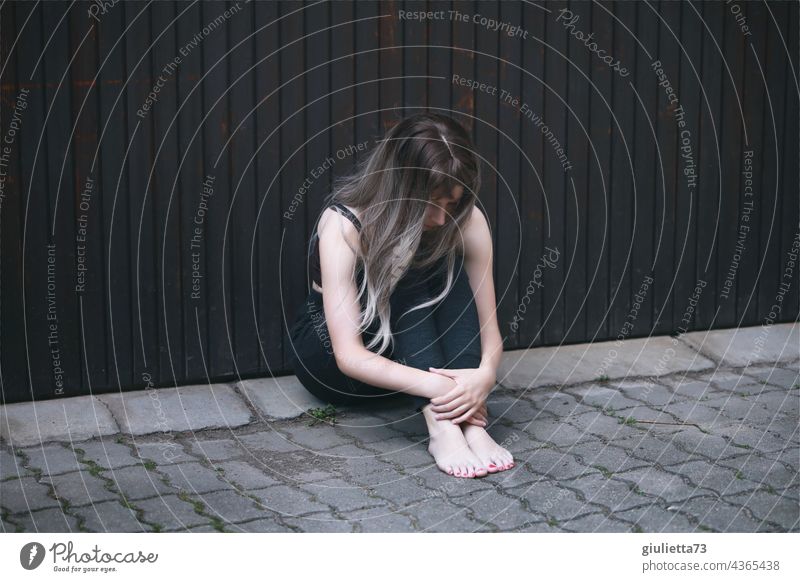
573	364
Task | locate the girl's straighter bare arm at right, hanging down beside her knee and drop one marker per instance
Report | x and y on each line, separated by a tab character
478	262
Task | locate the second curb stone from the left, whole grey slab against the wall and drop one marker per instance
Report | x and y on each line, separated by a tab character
178	409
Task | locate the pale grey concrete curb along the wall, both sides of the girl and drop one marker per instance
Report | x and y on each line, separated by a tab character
192	408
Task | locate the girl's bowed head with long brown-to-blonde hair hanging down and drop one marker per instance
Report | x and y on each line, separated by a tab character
414	193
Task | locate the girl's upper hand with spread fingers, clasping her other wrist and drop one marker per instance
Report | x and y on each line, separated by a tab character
468	396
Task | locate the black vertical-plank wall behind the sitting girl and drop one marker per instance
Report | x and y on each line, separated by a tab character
165	245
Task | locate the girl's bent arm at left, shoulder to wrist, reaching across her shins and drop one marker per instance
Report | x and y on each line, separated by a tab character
337	237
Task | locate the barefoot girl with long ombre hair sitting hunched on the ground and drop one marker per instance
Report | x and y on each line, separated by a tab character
402	297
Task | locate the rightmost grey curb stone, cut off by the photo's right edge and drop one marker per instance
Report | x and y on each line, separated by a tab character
747	345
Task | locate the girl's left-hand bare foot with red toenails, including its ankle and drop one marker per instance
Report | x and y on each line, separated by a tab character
450	449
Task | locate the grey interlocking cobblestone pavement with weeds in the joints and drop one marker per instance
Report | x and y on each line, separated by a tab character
704	451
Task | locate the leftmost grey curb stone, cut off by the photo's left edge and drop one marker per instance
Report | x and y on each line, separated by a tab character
72	419
